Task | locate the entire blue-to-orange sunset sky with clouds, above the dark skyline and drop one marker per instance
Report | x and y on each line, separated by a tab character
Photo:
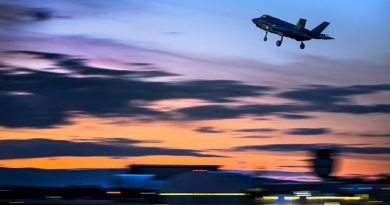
105	84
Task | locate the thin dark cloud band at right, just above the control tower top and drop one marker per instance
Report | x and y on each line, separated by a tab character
308	147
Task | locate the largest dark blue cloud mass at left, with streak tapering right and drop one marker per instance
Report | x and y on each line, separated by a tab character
55	96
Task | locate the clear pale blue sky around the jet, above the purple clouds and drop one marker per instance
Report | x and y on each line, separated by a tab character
222	28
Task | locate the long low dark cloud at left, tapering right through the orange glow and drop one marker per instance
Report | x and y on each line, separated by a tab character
36	148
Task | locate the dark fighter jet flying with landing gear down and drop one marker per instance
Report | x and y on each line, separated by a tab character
297	32
